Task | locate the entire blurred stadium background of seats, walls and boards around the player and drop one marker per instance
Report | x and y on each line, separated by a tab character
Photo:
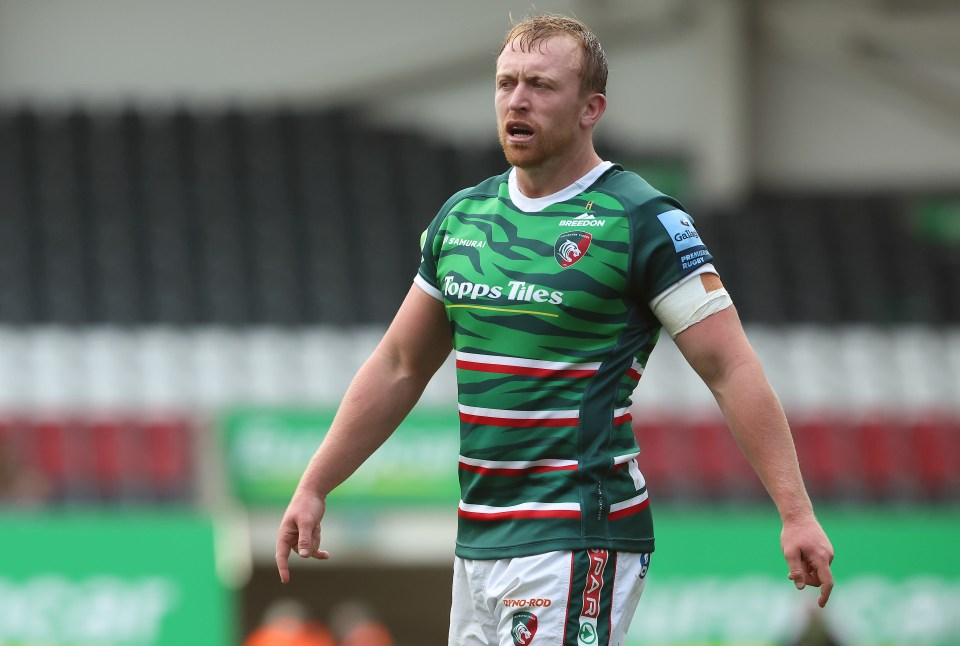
209	212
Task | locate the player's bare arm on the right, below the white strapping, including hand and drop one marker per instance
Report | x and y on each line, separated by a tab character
719	352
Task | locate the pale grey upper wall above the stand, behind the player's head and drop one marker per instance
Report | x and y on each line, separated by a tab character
791	105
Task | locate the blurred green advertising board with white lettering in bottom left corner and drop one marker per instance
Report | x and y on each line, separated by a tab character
123	579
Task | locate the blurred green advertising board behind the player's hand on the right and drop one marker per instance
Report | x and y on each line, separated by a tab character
719	578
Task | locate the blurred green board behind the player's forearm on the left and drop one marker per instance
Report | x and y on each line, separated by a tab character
267	450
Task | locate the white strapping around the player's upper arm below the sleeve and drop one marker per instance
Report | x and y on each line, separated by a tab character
690	301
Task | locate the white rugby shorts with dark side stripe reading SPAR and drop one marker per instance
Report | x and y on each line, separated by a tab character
569	598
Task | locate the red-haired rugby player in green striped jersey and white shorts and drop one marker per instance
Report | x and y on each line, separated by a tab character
552	282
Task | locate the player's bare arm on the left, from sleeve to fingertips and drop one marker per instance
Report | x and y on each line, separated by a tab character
381	395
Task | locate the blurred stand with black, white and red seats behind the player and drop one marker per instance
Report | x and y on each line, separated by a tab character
183	261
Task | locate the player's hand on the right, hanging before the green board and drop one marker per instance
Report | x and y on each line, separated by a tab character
809	554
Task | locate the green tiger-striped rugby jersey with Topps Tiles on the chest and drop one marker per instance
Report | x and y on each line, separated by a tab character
549	316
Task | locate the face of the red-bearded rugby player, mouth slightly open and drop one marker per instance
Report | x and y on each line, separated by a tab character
538	101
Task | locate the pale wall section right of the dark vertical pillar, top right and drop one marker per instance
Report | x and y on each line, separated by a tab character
830	114
